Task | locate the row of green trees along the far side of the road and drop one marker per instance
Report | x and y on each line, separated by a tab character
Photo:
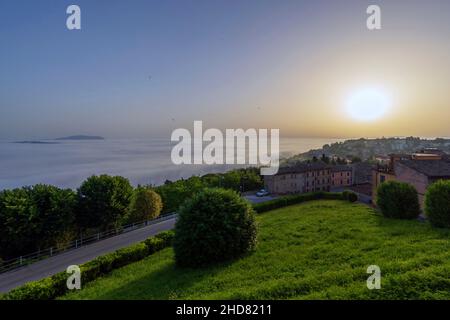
37	217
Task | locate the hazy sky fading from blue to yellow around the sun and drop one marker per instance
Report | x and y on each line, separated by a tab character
144	68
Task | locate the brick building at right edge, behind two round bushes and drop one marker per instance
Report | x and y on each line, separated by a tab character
419	169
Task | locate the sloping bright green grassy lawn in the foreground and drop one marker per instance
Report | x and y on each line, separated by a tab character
316	250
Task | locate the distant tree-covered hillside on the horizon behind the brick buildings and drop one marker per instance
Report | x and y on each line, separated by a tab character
368	148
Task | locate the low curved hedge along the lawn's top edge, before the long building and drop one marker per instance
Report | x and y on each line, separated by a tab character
296	199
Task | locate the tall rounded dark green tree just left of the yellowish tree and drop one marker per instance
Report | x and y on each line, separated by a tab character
103	202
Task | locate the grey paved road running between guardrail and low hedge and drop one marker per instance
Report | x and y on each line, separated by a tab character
51	266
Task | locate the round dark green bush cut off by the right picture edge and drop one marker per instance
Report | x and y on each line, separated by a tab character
437	203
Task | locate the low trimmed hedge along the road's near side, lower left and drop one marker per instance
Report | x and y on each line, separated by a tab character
55	286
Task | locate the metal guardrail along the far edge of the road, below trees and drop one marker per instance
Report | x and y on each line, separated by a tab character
28	259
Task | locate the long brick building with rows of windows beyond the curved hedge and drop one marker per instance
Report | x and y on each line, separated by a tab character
308	177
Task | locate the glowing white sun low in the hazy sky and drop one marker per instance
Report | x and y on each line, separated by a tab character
368	104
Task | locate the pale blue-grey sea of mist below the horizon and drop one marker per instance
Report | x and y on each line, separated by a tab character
143	161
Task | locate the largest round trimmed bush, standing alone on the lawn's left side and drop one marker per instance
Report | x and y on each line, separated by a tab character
215	225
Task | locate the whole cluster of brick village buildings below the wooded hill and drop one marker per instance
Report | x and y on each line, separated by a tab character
332	173
